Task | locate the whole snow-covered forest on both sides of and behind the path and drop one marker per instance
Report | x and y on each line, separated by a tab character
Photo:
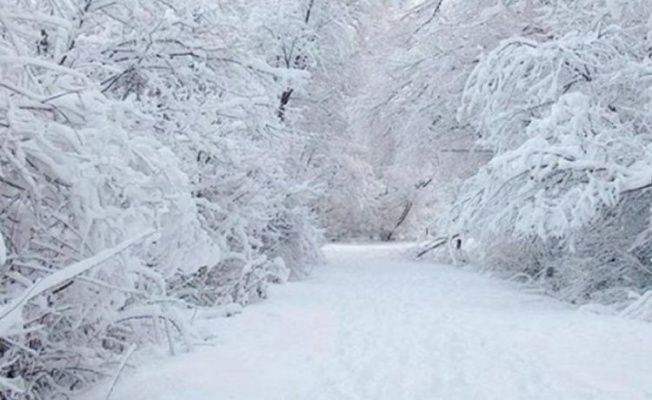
160	156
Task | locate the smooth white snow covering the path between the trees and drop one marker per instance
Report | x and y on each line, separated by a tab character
371	326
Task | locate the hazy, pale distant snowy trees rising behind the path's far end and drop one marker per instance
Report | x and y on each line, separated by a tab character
404	118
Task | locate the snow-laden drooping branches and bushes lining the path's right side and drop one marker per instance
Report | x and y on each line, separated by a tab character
567	113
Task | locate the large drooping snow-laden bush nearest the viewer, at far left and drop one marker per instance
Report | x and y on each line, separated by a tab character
81	174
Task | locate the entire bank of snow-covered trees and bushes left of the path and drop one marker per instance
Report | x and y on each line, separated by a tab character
150	158
